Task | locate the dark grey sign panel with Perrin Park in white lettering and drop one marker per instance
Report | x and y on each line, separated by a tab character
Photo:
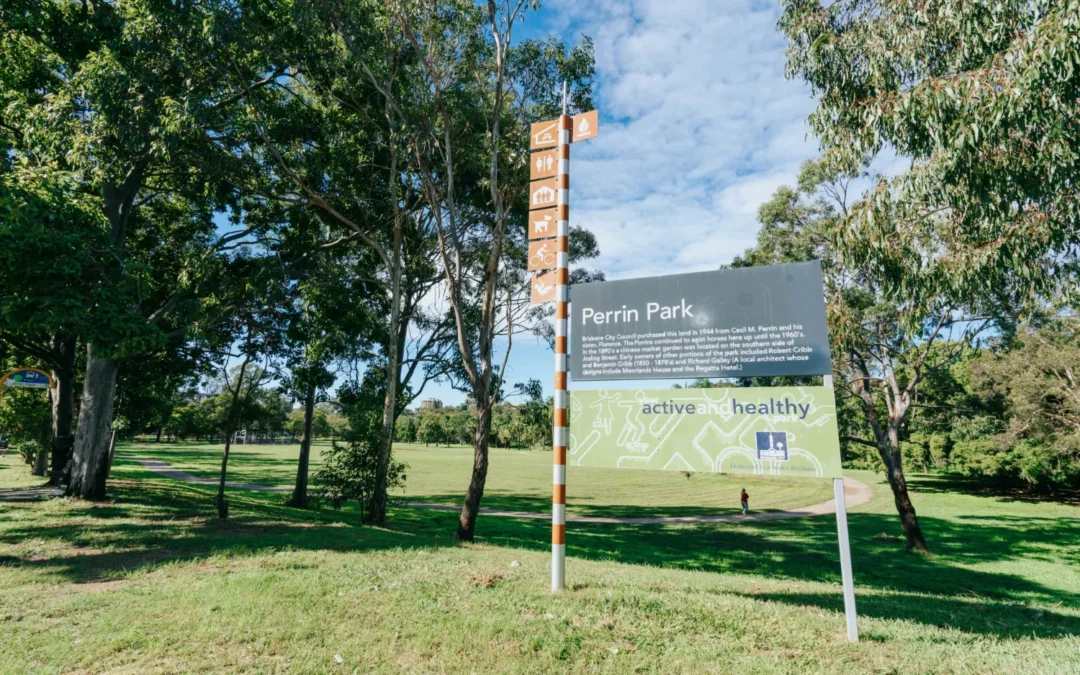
757	321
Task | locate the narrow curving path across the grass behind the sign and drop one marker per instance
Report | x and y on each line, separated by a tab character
856	493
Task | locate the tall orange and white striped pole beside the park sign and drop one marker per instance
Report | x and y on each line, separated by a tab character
561	433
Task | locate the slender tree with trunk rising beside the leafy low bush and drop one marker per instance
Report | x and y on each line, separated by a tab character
329	139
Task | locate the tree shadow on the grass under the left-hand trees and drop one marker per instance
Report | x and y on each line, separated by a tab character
154	522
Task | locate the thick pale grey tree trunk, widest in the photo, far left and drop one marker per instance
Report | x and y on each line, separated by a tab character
90	464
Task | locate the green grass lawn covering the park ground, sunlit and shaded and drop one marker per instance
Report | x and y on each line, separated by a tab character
151	583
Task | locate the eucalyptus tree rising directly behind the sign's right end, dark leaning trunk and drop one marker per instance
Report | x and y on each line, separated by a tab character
887	354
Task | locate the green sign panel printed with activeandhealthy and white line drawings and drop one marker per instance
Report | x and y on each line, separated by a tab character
779	431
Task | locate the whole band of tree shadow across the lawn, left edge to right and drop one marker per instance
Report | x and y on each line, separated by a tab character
155	521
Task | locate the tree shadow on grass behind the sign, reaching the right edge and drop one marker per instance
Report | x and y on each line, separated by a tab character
895	585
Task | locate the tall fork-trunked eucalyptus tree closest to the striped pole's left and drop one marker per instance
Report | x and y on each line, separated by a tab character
481	92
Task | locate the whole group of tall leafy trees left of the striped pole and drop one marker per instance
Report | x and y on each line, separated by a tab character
279	197
